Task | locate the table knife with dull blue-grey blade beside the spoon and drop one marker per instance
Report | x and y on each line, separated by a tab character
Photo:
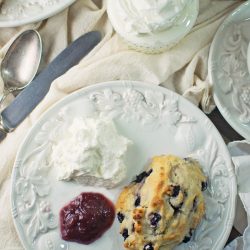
28	99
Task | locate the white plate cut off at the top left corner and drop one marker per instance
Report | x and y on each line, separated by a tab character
19	12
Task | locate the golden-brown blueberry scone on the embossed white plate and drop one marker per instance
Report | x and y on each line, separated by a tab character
163	205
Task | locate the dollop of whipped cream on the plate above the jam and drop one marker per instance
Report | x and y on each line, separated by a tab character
91	152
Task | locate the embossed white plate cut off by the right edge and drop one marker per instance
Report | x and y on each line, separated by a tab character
228	69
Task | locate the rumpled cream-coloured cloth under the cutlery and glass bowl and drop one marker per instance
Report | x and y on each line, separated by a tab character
182	69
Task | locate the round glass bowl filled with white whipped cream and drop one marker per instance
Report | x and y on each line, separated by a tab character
150	25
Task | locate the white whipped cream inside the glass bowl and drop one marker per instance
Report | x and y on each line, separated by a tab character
151	16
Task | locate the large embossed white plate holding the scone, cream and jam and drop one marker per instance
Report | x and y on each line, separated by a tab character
158	121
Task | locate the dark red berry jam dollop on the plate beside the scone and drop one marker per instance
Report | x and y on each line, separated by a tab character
86	218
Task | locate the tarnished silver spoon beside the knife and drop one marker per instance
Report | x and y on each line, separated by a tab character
21	62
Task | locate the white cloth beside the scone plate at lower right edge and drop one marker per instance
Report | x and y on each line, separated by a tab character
240	152
